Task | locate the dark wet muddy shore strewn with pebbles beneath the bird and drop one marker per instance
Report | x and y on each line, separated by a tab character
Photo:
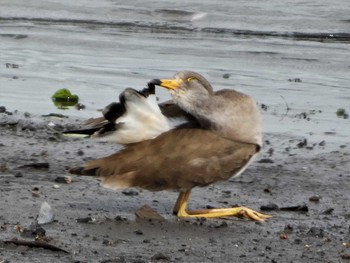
288	173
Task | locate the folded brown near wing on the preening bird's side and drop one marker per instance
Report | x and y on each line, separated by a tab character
179	159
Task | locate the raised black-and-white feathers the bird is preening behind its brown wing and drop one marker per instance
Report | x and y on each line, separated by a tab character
136	117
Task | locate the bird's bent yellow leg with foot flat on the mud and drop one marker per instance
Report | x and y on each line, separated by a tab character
217	212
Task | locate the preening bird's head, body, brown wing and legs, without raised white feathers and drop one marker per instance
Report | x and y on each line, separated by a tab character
224	140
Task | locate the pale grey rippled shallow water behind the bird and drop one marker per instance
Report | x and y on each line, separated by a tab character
98	48
